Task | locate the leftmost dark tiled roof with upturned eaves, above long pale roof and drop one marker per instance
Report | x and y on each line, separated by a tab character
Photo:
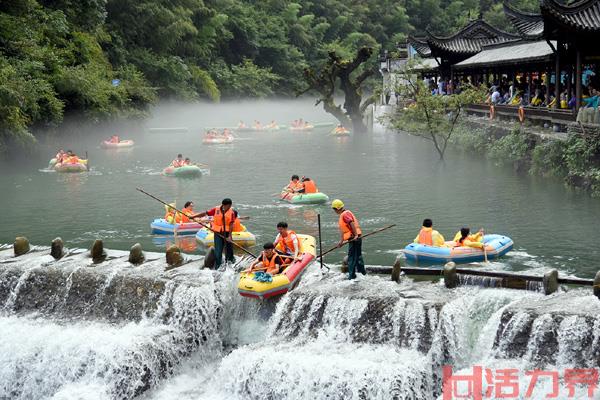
469	40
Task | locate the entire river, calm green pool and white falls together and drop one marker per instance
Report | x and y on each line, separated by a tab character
62	335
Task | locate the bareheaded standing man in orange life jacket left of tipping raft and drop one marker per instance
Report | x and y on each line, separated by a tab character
224	222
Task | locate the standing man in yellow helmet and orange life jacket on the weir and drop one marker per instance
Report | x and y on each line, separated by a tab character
350	231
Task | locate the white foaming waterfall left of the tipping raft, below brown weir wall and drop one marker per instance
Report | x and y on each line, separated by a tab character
70	357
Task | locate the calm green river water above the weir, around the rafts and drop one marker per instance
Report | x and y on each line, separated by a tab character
384	178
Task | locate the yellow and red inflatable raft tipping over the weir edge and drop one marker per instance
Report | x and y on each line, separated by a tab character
283	282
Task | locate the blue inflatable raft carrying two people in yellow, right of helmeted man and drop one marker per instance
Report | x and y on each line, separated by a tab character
495	245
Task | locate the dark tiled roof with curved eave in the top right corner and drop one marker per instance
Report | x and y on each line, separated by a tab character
583	15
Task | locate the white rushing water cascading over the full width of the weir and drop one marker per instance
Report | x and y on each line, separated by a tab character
328	339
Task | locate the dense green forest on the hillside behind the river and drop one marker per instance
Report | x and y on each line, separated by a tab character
112	58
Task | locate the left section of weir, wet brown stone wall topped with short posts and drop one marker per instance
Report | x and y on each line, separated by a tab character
107	287
